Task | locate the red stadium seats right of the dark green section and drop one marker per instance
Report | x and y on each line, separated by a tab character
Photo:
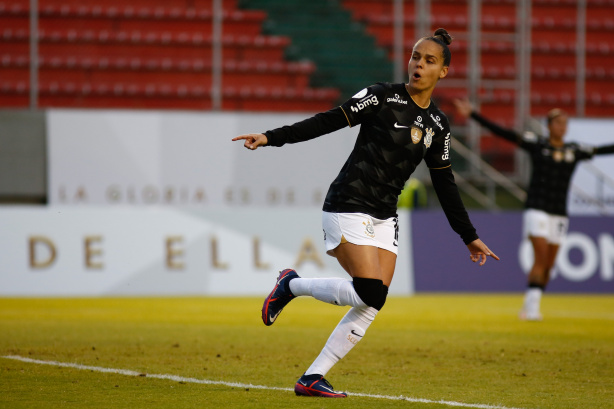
554	47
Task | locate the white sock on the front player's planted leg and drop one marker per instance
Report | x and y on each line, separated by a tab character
348	332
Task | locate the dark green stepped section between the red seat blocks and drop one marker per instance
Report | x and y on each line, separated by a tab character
345	55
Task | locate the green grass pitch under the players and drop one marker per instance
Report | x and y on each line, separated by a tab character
462	349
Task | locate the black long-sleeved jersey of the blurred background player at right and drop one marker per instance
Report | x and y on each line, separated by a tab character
552	167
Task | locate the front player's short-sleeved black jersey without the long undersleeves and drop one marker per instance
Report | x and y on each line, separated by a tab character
395	135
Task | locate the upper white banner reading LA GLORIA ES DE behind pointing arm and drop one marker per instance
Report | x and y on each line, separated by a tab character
185	159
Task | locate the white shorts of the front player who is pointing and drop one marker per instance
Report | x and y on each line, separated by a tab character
360	229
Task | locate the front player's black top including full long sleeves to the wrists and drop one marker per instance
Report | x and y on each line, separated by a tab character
395	136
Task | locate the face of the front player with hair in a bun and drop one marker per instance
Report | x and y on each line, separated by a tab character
425	66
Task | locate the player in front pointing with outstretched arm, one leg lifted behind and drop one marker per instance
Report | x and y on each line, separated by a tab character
400	126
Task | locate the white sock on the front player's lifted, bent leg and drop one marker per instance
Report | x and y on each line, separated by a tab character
337	291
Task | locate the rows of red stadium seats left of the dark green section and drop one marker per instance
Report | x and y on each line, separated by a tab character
150	54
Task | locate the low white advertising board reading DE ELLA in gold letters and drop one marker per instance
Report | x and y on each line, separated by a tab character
102	251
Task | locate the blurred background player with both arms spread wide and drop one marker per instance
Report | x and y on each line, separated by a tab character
545	218
